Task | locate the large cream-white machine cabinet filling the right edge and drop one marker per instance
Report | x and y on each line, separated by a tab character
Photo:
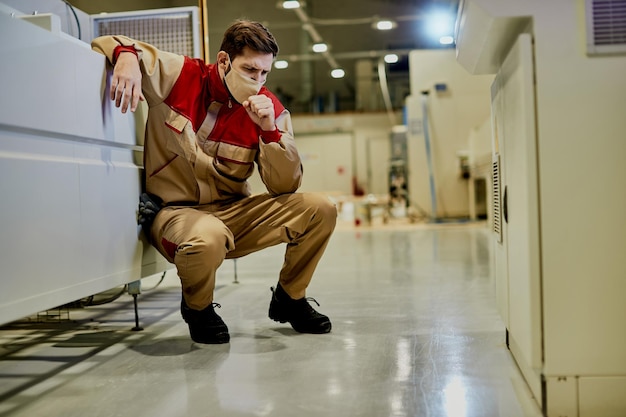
559	196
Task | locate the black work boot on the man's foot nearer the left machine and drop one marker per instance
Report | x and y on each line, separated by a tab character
205	326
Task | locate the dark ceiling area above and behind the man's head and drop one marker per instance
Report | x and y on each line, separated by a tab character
345	25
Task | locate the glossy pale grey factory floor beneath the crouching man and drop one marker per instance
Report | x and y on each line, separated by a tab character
415	333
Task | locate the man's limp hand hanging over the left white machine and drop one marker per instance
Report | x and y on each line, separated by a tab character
126	82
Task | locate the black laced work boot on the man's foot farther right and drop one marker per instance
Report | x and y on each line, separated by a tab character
299	313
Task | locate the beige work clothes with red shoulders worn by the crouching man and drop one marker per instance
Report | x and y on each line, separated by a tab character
200	149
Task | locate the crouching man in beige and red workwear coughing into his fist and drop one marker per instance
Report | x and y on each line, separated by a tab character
208	125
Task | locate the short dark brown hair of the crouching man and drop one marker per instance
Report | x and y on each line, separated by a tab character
244	33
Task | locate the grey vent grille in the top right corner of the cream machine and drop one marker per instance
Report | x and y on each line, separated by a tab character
606	26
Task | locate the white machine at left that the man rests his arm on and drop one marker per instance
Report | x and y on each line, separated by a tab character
70	170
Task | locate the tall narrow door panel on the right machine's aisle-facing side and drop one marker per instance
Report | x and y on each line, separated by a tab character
514	108
